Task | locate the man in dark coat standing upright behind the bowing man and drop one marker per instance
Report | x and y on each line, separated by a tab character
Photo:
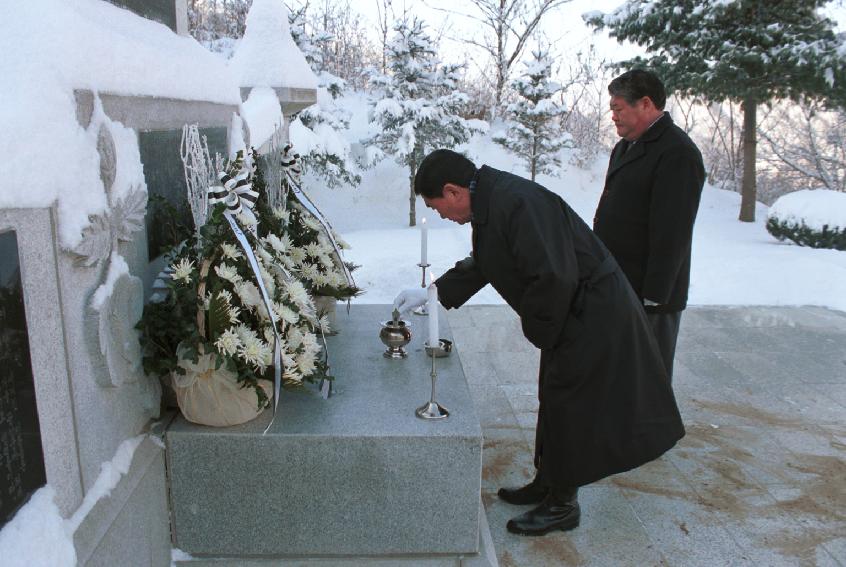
646	213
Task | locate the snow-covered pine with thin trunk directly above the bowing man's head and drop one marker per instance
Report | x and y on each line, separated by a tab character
421	109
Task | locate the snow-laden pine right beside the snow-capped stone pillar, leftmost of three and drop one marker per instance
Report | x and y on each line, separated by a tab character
318	129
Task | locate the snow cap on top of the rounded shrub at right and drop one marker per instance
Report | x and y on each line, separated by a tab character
815	208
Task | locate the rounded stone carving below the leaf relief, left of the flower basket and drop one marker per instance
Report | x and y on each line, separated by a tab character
119	344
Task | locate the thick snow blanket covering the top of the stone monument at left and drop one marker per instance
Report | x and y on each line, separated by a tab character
52	47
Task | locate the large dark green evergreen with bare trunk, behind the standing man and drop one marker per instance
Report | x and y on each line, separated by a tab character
748	51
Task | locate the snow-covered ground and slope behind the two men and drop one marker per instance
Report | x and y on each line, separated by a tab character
734	263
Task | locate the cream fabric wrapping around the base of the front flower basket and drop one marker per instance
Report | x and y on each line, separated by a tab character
215	397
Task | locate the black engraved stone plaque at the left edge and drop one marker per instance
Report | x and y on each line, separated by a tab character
21	455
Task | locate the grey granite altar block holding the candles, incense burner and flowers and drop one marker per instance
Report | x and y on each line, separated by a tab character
352	480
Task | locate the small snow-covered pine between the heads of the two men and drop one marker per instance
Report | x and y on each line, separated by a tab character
534	122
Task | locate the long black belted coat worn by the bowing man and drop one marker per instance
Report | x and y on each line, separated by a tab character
606	404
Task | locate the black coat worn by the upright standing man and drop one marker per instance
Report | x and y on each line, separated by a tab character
646	213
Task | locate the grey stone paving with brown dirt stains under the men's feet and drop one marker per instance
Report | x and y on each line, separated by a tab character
759	479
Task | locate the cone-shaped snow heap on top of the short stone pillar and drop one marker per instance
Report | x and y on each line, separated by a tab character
267	54
